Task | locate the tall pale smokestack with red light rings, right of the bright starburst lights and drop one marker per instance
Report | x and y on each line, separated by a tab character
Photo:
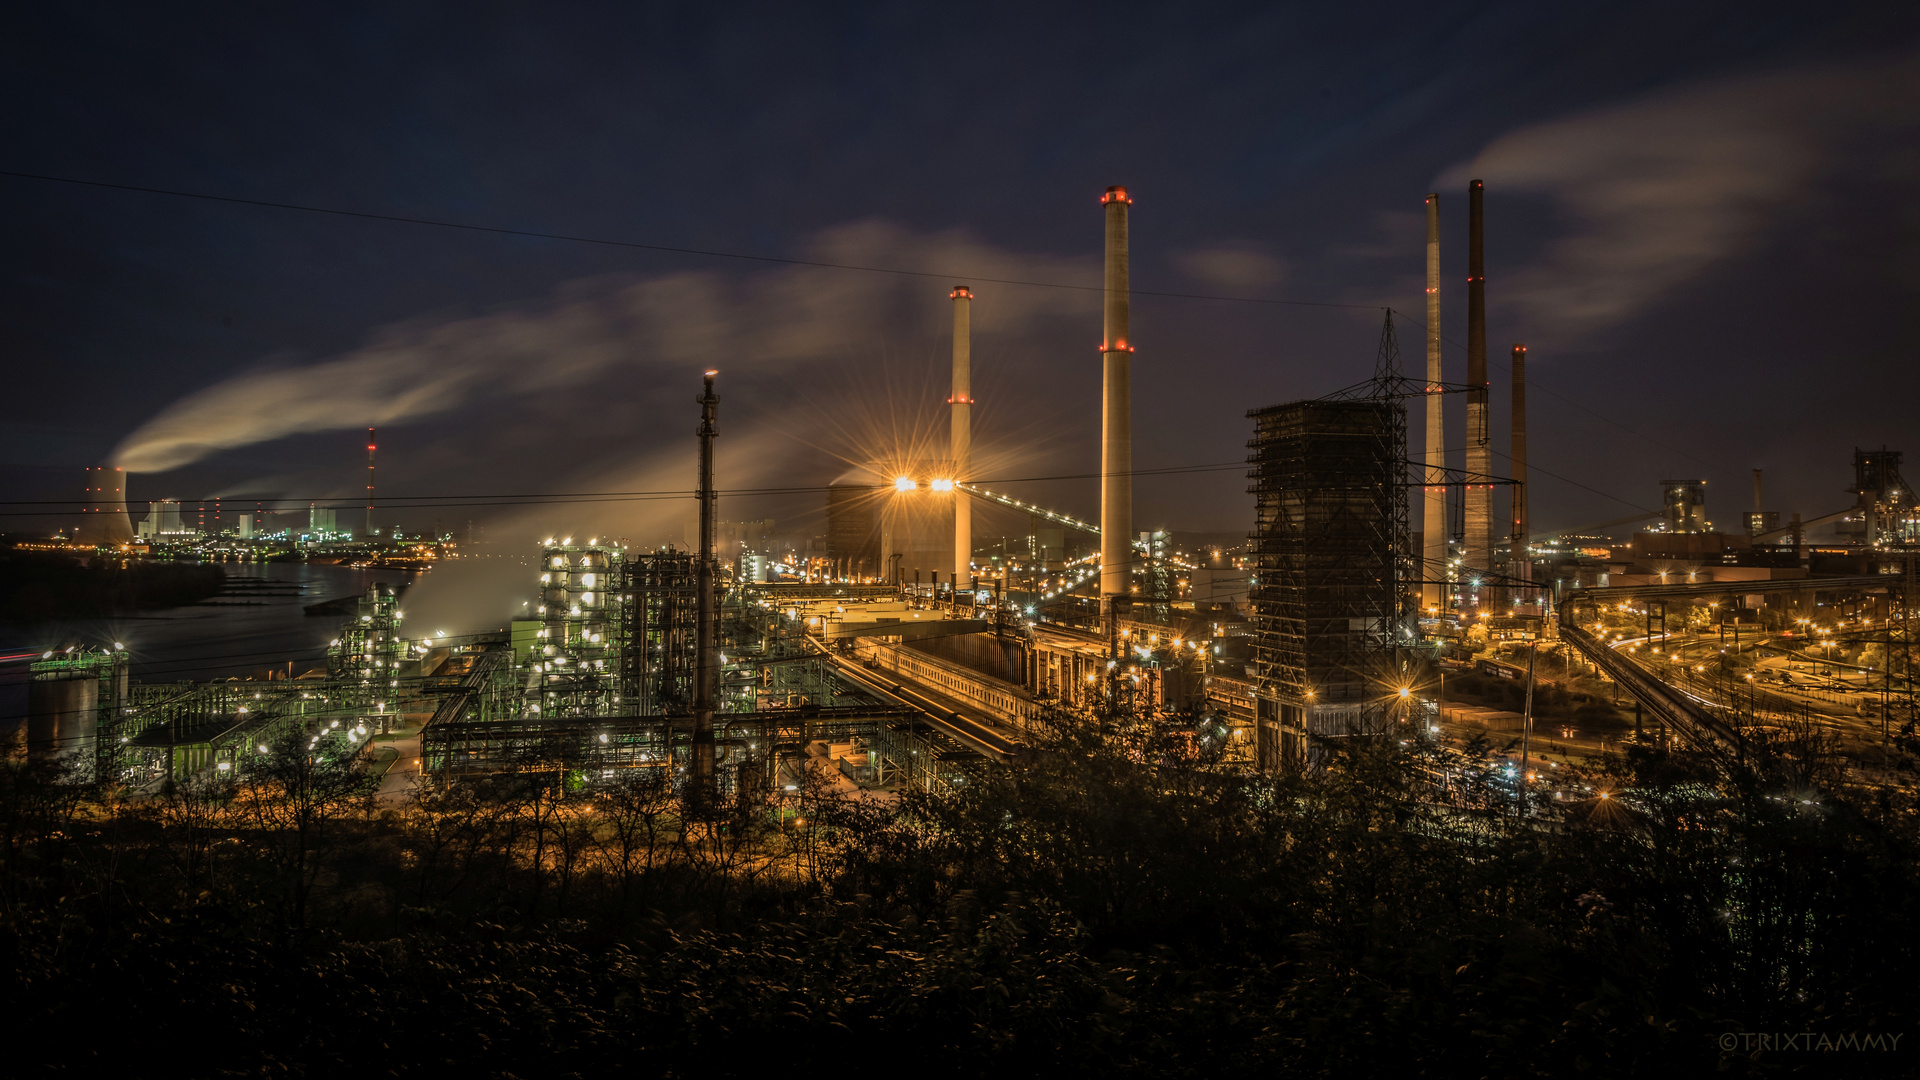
1116	422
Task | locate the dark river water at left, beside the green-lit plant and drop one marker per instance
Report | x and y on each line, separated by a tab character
224	637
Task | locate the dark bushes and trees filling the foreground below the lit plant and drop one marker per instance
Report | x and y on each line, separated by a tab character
1118	906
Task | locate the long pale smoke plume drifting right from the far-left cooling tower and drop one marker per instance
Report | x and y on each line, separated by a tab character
590	330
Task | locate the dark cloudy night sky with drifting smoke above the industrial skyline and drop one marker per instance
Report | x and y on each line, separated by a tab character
1702	220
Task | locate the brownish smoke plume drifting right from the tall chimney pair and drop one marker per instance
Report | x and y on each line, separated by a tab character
1662	189
